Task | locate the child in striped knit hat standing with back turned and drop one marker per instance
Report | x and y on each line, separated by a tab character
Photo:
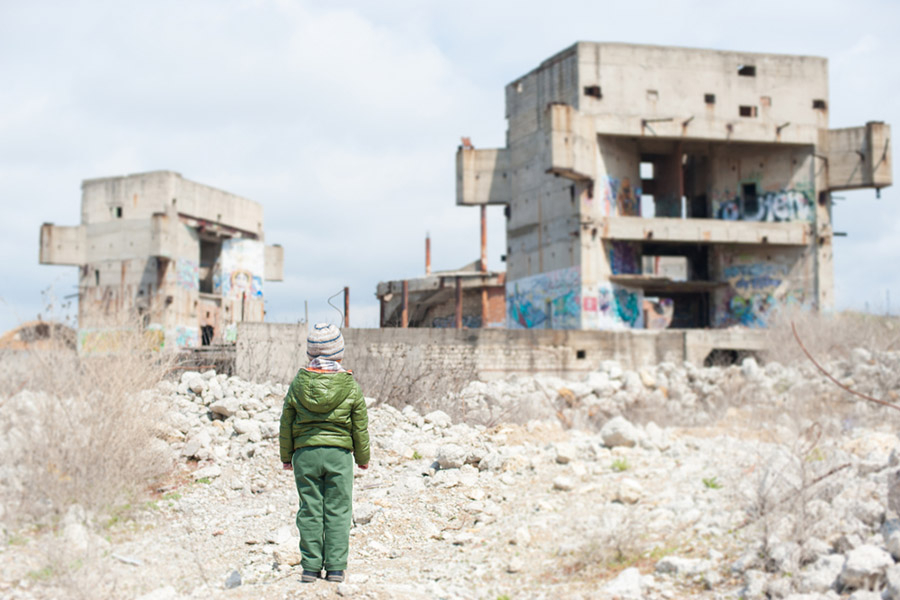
323	420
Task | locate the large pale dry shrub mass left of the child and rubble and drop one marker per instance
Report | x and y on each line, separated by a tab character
79	429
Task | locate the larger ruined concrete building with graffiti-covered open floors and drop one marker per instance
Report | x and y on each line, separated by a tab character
695	182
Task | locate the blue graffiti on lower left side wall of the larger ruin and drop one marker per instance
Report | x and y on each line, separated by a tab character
548	300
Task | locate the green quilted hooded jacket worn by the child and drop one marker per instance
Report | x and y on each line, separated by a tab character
324	409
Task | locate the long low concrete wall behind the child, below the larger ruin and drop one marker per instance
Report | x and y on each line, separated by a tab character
431	358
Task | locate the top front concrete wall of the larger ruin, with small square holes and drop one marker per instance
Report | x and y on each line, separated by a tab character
670	84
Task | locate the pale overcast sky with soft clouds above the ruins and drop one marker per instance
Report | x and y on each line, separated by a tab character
342	118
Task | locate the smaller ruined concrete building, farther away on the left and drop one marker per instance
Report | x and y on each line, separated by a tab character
187	261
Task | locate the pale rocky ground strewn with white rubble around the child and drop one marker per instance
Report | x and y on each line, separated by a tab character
670	482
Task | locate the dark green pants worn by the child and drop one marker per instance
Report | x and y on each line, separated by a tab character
324	476
